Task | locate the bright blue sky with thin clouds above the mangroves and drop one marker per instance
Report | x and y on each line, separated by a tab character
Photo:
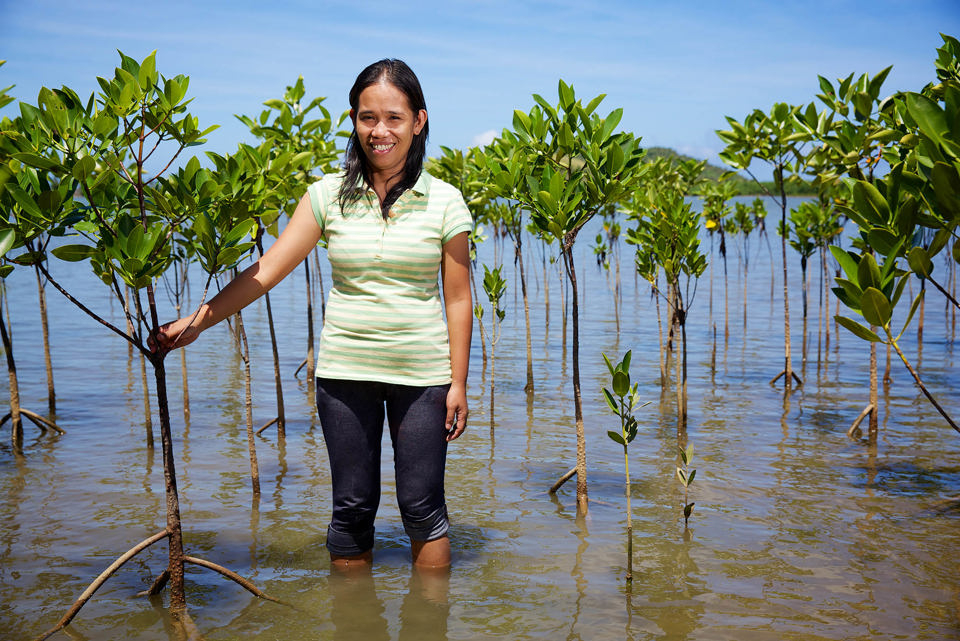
675	68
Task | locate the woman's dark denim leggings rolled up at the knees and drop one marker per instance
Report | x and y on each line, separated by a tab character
351	416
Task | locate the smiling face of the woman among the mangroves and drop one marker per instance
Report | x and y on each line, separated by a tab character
385	126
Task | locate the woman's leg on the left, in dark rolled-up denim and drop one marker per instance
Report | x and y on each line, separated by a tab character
351	416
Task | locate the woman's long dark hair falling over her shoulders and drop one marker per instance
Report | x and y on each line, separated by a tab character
356	166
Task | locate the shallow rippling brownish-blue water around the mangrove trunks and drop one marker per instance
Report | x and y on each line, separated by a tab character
798	532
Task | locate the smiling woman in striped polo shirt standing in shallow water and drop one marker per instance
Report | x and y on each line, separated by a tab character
384	349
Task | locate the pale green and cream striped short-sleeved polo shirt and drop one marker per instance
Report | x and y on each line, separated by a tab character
384	319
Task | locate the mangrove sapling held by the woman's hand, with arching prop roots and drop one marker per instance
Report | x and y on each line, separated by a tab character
100	149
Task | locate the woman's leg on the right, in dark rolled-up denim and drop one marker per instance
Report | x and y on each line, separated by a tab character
416	416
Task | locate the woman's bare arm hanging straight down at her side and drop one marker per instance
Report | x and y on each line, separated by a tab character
455	269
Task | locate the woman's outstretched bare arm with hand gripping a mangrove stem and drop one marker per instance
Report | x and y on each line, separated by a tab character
297	240
